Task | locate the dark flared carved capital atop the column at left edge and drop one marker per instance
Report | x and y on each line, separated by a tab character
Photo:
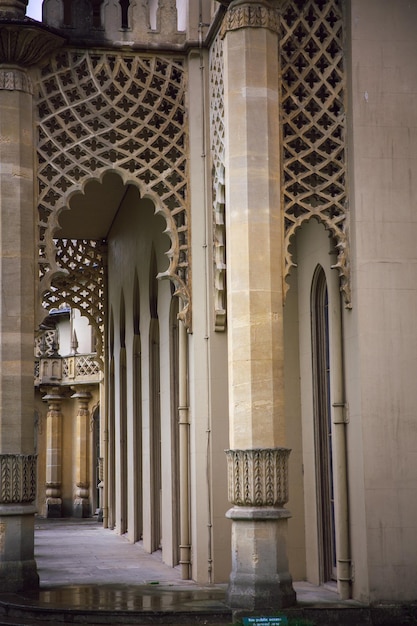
24	44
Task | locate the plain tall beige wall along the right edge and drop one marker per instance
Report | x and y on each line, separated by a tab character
381	330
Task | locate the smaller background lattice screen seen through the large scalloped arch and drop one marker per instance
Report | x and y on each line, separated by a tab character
80	282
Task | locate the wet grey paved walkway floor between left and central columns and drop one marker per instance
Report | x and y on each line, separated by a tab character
80	564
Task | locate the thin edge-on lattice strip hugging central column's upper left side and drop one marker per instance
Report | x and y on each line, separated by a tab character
218	180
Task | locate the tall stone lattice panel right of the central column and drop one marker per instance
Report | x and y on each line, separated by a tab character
314	124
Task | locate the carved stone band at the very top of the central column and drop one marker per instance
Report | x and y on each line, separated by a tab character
250	15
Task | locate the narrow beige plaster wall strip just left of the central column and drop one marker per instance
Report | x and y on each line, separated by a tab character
208	380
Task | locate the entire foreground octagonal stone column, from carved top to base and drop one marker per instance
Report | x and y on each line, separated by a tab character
257	460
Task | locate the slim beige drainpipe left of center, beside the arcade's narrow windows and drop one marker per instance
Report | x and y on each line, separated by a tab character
184	425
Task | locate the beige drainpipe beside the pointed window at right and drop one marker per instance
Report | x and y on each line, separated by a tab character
340	420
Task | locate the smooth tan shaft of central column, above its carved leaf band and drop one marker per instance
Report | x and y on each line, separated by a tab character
254	234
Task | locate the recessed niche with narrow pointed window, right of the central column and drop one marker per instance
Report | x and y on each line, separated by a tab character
315	411
